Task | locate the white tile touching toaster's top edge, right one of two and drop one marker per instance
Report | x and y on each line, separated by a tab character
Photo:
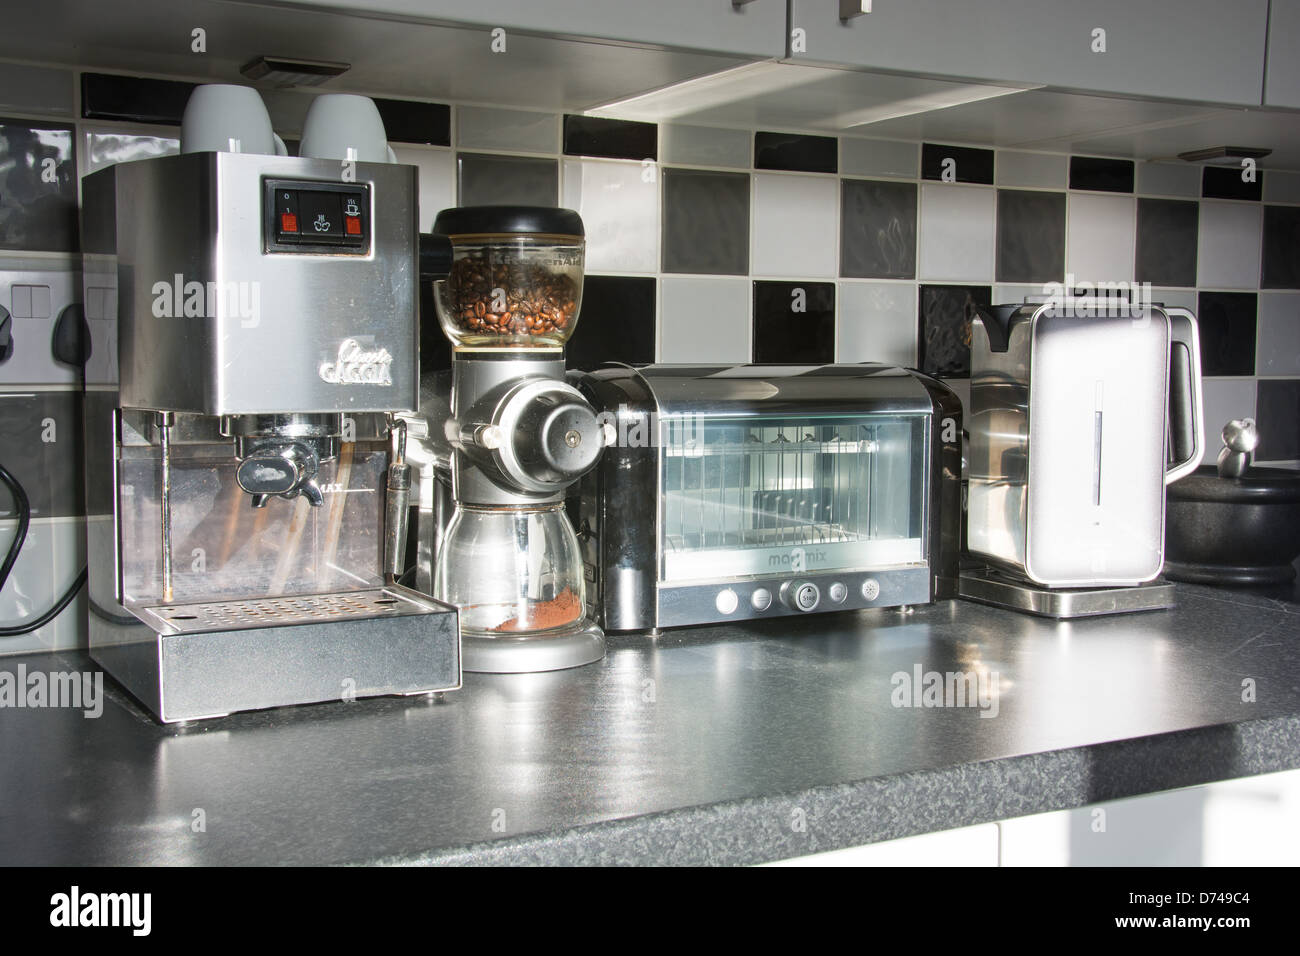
877	322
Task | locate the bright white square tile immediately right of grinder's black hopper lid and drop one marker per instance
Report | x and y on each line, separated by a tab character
621	213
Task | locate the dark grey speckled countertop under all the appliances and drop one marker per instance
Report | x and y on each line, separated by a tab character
701	747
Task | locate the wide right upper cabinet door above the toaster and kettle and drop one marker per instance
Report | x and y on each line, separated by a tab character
1208	51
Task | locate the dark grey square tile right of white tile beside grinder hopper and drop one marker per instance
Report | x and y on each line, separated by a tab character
707	223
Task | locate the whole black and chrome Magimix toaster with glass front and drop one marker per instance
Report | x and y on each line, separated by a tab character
753	492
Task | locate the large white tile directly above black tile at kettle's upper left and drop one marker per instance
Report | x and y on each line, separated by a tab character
956	233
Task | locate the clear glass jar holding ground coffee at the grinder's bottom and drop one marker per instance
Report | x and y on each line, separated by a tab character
512	572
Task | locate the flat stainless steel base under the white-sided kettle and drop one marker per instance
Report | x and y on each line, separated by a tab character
1002	591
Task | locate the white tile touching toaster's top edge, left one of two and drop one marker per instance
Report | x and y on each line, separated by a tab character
705	321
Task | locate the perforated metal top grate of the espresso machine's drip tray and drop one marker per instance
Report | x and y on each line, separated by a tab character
287	611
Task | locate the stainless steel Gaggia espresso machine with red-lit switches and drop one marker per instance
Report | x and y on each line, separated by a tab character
245	473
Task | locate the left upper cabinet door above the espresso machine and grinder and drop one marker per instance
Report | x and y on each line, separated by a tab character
752	29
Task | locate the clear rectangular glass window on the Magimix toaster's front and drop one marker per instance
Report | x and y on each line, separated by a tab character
762	495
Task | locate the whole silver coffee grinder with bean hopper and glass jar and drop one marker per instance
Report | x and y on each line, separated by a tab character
521	436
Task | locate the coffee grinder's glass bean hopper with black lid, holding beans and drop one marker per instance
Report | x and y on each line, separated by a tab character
517	276
